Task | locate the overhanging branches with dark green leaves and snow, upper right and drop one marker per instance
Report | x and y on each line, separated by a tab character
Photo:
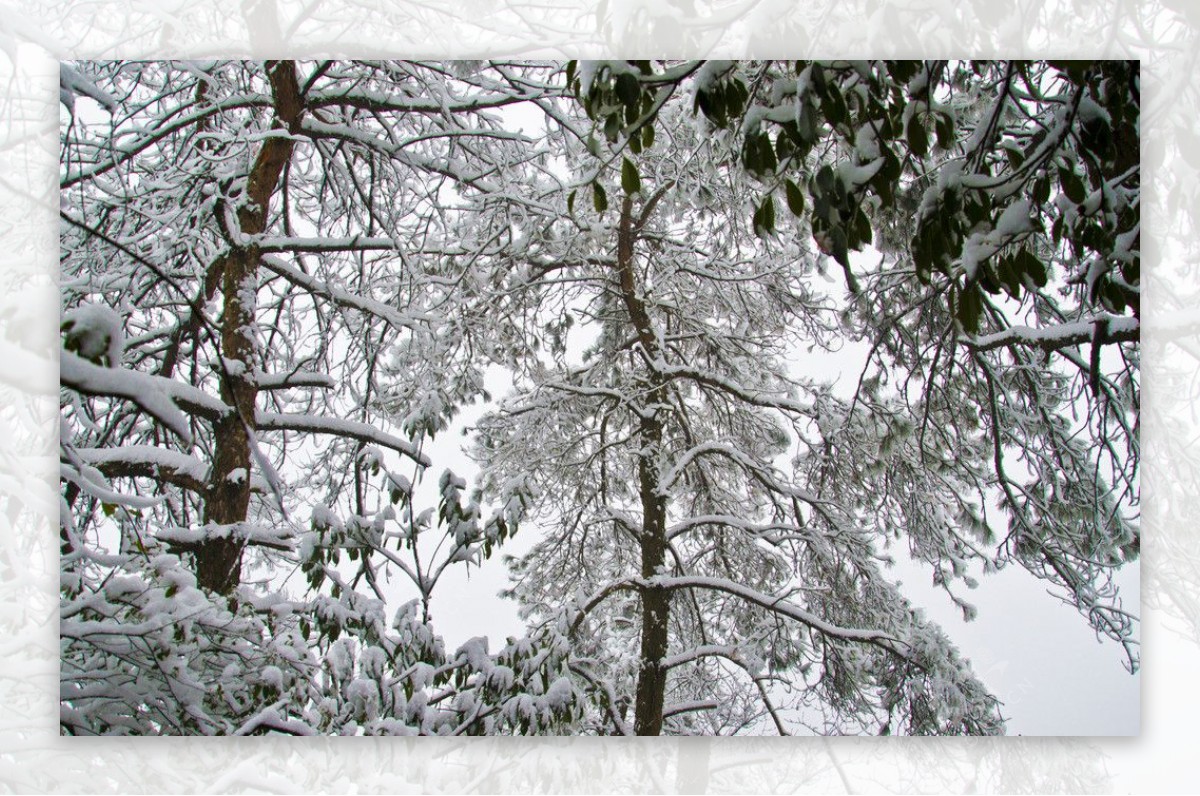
1011	190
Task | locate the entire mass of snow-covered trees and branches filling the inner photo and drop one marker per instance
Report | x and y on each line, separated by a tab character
283	280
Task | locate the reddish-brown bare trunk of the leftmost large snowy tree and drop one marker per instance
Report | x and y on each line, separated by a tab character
227	499
